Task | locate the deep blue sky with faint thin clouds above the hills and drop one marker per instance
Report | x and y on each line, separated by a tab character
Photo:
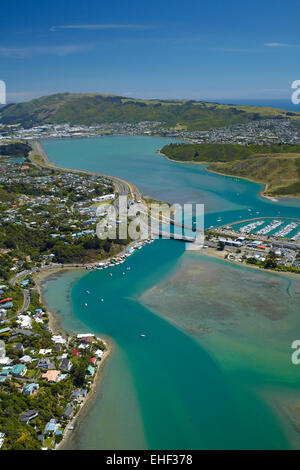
227	50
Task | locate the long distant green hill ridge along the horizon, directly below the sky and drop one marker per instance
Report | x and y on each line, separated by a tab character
96	108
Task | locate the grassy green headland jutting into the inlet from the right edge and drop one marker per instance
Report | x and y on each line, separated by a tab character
276	166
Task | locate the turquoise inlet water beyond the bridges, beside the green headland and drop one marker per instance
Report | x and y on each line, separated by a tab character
135	159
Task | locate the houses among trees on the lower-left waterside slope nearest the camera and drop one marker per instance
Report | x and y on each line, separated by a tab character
33	371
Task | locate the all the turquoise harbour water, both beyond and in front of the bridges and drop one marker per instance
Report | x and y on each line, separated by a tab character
178	388
